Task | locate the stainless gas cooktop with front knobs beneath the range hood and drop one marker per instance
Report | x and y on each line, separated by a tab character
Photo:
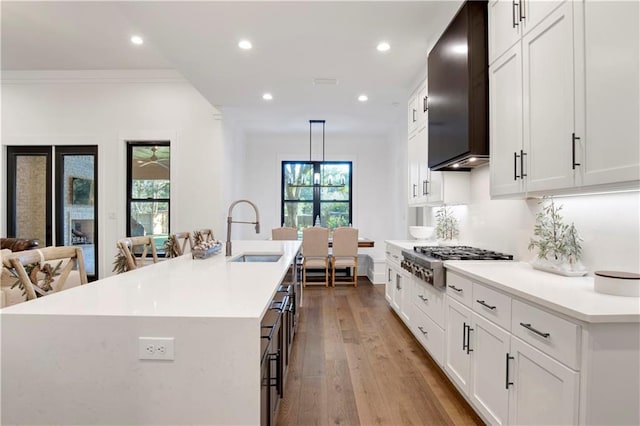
426	262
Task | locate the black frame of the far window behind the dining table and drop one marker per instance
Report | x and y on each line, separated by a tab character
317	200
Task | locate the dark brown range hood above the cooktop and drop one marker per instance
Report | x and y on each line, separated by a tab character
459	92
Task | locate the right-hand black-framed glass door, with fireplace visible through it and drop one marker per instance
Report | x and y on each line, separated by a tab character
77	202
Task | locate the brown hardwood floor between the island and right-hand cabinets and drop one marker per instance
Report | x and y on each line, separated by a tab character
355	363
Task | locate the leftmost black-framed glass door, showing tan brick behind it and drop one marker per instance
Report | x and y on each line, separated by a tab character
29	193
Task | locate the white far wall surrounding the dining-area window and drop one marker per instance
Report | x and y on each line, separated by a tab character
376	167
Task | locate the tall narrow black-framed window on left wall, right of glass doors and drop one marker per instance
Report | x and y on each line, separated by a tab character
148	189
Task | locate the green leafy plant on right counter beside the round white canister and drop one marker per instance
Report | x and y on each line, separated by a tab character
556	240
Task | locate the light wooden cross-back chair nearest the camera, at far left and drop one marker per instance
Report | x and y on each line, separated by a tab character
48	270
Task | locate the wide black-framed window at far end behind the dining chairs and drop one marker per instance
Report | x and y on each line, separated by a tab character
315	190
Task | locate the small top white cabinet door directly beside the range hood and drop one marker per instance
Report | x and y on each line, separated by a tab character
504	27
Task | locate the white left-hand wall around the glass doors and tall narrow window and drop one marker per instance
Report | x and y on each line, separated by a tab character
107	109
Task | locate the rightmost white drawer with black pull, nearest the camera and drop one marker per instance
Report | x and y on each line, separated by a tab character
553	335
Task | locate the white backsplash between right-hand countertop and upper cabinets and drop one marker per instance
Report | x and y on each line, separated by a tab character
608	223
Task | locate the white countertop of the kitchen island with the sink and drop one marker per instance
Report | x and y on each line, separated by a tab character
180	287
